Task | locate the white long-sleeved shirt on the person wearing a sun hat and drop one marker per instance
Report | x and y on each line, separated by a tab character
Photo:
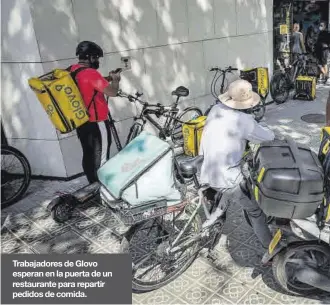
223	143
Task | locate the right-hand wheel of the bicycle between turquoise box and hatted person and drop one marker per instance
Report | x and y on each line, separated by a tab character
187	115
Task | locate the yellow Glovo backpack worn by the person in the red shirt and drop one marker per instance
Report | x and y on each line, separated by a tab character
59	95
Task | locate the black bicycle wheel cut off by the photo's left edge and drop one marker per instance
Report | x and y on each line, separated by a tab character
15	175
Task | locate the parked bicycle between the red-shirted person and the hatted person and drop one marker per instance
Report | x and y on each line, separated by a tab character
172	128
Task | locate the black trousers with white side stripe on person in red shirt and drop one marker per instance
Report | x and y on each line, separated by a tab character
95	139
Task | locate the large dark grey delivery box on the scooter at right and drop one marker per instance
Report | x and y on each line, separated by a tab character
287	179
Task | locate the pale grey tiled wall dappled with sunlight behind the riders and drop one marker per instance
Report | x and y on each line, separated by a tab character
171	43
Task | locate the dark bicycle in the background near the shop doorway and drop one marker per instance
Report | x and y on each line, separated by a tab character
283	81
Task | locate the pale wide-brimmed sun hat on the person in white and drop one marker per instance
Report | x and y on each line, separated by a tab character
240	95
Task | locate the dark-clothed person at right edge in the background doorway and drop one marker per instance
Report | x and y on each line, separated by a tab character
322	51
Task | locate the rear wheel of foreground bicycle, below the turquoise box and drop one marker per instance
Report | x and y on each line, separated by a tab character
153	267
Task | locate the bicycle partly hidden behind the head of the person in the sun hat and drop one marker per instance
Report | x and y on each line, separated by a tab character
258	111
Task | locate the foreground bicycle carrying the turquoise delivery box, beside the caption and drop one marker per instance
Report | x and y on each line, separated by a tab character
163	247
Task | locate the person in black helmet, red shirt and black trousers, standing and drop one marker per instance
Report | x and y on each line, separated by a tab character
95	135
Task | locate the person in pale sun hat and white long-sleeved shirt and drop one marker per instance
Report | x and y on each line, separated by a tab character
223	142
